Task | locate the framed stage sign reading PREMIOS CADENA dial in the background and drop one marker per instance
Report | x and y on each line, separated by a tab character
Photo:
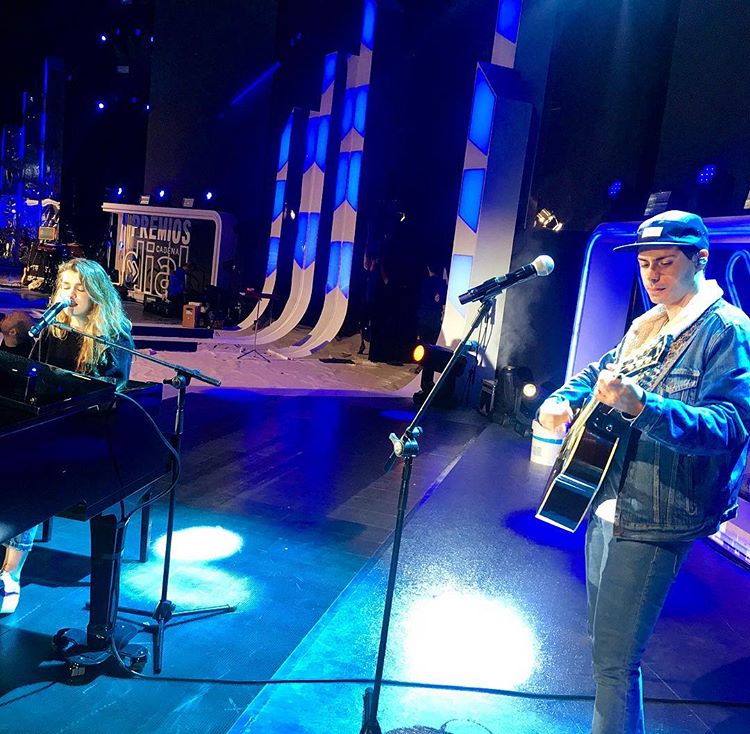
153	241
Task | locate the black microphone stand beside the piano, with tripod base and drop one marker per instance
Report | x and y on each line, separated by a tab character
165	609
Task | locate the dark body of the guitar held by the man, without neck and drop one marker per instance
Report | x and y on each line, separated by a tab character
581	466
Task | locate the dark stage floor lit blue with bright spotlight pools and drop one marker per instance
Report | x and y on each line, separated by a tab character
283	510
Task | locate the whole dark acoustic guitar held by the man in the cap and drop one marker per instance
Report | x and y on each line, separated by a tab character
588	449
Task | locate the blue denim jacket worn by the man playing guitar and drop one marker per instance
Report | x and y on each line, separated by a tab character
685	458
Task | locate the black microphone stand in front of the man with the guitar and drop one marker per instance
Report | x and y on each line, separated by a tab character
406	447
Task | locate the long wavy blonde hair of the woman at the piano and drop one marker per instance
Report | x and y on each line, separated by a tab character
106	318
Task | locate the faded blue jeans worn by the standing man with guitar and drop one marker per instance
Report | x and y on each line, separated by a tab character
627	582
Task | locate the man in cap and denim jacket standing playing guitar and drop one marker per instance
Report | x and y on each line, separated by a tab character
677	477
